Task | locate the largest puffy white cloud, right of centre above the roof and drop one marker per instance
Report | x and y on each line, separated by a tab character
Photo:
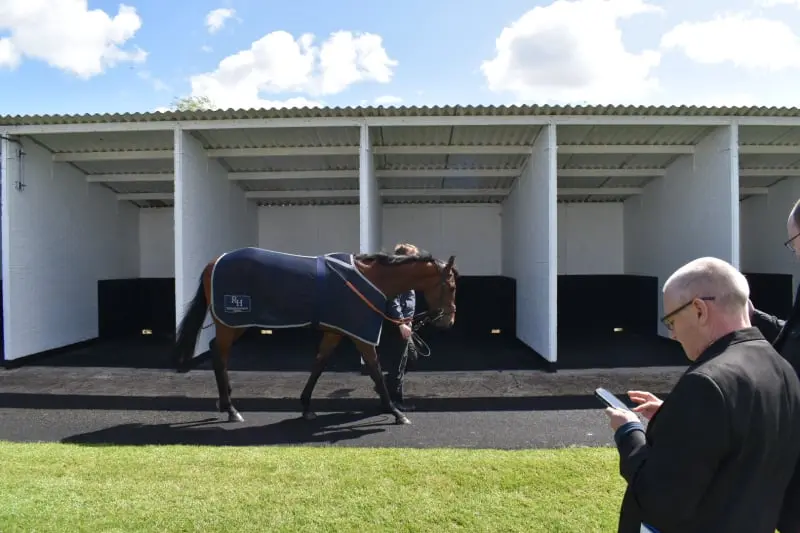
572	51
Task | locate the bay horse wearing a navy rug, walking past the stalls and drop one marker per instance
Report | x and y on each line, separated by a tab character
337	293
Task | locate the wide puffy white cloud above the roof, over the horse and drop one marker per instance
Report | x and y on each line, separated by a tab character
279	63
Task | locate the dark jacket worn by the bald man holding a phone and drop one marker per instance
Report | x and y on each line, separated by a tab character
715	456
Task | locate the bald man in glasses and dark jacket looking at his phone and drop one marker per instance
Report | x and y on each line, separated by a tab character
719	452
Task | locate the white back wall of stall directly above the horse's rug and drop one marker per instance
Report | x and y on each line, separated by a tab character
309	230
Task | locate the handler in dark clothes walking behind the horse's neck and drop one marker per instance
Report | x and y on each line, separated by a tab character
395	338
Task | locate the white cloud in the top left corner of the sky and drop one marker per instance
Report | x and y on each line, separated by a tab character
67	35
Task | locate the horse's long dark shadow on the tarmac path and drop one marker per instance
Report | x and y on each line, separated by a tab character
325	429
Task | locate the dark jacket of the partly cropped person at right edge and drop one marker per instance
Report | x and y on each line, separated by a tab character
785	337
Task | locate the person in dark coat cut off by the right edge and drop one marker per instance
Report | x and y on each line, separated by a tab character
784	334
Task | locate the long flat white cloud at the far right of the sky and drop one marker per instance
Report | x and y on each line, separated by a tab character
752	43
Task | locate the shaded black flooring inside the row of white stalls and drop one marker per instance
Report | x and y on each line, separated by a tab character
449	352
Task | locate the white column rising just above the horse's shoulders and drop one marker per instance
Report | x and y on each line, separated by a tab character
370	204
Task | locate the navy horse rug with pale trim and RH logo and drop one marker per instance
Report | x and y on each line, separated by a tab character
253	287
